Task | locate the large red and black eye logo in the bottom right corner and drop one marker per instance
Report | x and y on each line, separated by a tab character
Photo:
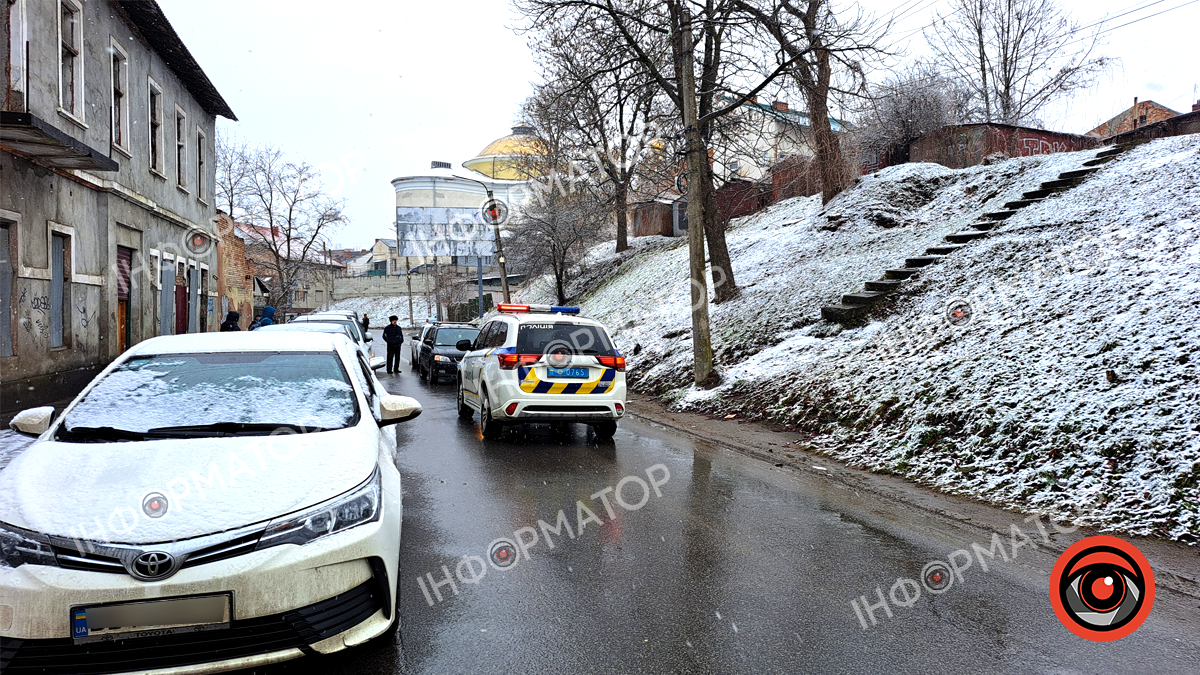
1102	589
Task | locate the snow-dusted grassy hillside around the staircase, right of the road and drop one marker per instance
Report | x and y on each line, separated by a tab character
1072	391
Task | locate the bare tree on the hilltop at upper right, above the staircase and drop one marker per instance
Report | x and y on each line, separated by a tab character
1016	57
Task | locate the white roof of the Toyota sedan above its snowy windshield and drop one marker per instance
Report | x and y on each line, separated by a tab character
241	342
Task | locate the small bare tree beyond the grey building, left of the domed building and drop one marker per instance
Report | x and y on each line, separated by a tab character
289	222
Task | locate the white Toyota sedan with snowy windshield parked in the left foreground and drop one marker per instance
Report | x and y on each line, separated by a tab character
209	503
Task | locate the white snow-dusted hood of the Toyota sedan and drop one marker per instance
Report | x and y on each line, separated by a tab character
97	492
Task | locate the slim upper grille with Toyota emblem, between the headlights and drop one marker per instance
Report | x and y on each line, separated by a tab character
95	557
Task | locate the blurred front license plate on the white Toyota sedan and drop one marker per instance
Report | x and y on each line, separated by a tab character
151	619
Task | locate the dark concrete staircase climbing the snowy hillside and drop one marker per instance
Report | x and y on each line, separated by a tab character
856	306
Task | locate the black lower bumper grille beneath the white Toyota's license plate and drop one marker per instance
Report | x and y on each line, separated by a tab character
251	637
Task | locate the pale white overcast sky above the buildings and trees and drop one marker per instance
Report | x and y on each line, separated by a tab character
374	89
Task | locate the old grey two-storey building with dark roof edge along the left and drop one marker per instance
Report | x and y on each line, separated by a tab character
107	129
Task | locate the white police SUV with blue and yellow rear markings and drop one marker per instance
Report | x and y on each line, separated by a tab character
542	365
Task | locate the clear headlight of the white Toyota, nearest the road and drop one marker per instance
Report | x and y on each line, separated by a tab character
357	507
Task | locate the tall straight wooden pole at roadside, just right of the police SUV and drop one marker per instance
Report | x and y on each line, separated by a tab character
698	162
